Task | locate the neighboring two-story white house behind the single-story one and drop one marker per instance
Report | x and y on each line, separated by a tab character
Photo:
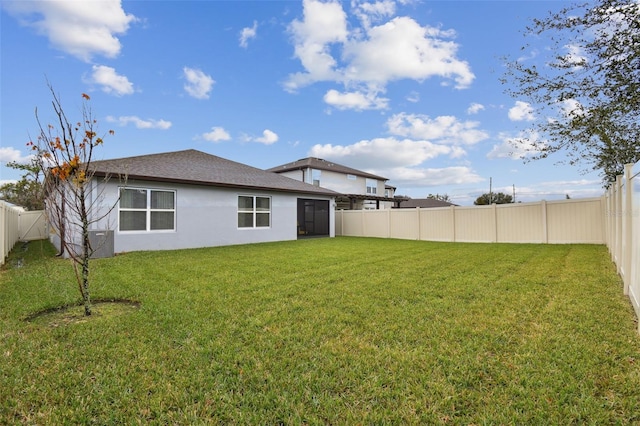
358	190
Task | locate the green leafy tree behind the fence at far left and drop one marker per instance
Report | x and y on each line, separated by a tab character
27	192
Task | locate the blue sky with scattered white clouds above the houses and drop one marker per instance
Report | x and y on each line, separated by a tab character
408	90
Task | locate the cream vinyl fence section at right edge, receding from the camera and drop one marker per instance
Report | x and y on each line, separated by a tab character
623	230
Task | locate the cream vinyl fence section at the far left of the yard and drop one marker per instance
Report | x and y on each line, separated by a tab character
19	225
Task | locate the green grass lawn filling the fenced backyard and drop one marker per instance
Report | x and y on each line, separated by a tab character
324	331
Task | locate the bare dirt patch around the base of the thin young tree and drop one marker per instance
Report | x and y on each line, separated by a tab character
74	314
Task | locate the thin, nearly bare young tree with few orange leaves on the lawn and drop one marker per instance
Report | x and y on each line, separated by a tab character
65	151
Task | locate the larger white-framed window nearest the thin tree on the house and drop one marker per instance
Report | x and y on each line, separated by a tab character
143	209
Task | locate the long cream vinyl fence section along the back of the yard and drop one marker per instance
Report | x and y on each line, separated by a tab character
553	222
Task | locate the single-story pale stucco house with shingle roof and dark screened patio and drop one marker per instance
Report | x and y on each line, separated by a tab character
189	199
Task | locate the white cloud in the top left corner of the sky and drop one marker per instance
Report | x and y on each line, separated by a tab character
81	28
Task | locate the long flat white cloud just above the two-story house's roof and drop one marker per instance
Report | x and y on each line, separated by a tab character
381	153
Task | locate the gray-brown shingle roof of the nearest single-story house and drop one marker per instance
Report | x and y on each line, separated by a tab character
199	168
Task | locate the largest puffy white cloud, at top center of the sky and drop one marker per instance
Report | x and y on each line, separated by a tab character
371	56
